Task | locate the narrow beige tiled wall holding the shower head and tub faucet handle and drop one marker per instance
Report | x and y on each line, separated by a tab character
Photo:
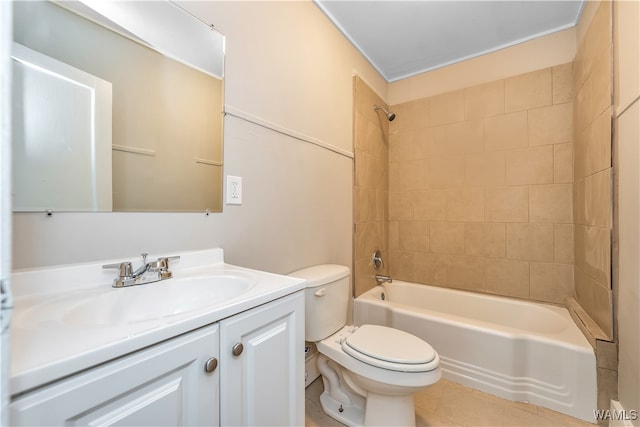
371	185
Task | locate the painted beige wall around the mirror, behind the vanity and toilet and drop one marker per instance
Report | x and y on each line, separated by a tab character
286	64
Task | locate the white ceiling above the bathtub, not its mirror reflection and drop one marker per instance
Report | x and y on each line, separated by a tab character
403	38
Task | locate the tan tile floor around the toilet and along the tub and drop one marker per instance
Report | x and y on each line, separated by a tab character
449	404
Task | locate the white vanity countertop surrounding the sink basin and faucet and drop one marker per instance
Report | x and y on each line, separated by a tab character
46	347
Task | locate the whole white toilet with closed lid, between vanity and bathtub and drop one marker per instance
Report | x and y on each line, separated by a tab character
369	372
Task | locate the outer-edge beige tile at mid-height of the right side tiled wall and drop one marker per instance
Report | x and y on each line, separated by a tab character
597	199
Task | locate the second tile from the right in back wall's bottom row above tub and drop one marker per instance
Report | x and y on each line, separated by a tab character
507	277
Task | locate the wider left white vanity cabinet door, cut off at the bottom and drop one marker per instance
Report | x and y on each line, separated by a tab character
163	385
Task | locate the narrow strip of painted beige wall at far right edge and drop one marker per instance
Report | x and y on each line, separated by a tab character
626	21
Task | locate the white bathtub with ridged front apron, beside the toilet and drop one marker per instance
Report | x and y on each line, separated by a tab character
517	350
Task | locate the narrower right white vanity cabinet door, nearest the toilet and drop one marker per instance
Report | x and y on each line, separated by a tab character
262	359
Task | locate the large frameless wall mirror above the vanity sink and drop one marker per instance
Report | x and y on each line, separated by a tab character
117	106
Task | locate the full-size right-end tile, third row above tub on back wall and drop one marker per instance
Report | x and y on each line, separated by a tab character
551	203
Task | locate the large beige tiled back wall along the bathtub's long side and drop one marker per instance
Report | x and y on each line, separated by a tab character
480	187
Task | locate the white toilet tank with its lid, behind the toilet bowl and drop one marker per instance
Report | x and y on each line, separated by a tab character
326	299
